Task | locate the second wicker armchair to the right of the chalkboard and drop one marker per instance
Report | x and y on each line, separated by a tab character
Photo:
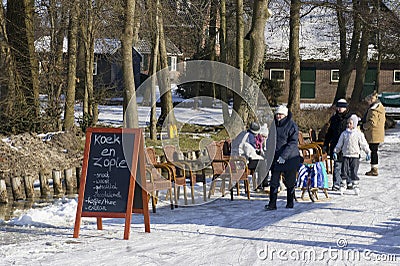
172	155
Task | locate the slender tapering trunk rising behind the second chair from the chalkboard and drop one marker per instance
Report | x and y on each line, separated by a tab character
165	84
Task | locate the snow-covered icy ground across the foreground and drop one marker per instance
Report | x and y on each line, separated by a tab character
342	230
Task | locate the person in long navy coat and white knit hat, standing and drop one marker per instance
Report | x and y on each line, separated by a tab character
286	159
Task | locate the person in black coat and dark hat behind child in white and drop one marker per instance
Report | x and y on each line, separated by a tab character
337	124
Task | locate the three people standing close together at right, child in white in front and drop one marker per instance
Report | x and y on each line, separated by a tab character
343	141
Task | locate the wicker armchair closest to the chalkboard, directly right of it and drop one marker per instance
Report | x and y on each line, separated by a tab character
157	181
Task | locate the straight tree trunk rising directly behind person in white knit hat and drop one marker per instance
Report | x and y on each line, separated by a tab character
294	58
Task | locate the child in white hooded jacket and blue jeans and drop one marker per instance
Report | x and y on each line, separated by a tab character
350	143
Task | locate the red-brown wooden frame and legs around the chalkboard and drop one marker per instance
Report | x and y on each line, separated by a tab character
137	169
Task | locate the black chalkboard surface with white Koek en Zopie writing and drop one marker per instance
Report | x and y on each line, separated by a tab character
108	173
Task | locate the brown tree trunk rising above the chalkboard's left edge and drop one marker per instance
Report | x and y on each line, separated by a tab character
69	117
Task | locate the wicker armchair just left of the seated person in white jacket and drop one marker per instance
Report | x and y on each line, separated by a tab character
227	167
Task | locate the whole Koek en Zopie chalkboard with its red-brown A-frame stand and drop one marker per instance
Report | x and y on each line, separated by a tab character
113	172
